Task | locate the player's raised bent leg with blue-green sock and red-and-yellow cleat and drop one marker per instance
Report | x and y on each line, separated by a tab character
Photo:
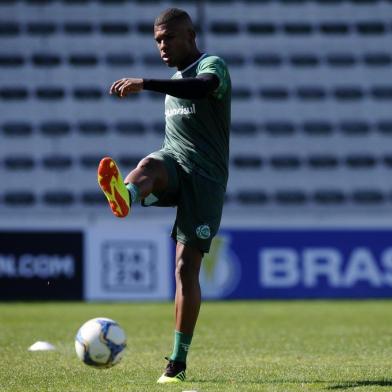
149	176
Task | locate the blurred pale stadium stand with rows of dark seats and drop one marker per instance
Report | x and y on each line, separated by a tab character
311	127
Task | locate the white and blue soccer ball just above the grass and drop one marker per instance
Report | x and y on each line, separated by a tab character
100	342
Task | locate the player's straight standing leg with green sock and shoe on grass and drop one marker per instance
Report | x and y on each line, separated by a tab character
187	306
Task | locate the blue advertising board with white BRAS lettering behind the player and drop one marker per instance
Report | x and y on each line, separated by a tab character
299	263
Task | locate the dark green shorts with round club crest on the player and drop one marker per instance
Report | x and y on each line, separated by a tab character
199	204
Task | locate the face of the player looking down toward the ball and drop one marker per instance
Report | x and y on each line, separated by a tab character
175	44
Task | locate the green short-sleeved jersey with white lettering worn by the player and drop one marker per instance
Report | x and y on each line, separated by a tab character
197	130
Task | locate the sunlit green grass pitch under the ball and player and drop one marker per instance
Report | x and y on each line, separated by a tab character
238	346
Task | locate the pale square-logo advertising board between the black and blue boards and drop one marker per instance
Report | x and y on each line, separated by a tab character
128	262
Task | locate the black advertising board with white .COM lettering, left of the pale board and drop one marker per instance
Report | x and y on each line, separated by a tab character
41	265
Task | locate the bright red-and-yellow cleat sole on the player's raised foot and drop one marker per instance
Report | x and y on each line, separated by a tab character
112	185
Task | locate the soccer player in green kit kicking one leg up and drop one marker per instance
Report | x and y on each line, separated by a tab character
191	169
